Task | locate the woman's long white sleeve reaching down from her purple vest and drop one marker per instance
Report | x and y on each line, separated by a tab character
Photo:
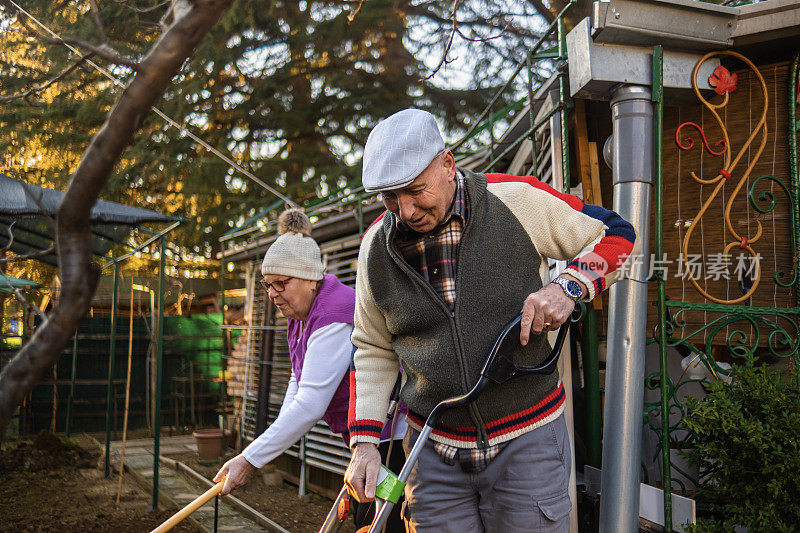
326	362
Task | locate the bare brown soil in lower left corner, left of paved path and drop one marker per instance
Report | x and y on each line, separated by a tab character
50	485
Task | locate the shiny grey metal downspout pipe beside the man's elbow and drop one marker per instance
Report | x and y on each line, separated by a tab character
632	148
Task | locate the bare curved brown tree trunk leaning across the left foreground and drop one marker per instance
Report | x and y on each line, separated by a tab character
78	272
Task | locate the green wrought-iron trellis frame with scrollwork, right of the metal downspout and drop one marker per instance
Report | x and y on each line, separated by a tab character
776	330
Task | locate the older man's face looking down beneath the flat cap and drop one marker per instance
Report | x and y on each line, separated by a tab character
423	203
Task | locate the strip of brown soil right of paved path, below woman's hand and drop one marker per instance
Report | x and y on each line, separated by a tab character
280	504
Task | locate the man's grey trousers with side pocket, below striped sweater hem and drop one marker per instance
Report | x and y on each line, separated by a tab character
524	488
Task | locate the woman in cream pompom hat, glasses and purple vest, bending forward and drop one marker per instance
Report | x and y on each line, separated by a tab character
319	311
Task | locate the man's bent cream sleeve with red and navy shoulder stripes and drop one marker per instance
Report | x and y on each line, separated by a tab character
595	241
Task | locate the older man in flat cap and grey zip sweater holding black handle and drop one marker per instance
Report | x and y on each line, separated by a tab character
455	257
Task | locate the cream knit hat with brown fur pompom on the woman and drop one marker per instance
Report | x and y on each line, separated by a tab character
294	253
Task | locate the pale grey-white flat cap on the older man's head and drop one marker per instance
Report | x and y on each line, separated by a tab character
399	148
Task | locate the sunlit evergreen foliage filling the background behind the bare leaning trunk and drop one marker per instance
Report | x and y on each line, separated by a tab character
290	89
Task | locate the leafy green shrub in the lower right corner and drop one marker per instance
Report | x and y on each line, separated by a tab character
748	451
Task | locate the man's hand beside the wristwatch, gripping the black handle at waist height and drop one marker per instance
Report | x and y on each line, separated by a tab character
548	305
